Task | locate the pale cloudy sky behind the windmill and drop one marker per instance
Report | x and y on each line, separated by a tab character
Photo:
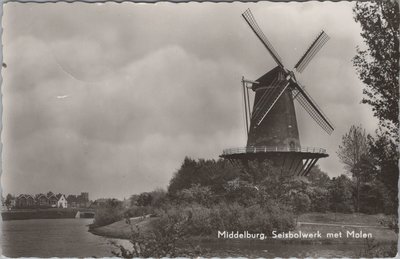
110	98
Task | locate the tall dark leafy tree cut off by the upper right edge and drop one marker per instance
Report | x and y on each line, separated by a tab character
377	65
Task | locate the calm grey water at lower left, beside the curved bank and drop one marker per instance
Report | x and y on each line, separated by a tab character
53	238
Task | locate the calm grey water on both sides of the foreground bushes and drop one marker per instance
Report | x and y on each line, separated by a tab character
70	238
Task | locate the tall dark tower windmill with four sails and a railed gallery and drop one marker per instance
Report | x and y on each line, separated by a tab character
271	124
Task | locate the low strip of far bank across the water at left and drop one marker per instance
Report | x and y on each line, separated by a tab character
49	213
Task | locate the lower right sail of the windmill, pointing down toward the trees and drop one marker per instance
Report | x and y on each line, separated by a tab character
305	100
